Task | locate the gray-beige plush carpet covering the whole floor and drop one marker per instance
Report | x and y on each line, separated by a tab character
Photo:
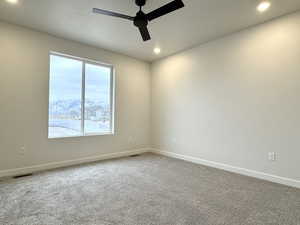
146	190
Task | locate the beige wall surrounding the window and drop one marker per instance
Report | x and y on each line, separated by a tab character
24	77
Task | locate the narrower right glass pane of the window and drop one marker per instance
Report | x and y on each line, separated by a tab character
97	99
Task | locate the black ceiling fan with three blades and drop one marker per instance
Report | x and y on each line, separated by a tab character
141	19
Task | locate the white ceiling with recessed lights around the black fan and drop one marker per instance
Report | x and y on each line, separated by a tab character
198	22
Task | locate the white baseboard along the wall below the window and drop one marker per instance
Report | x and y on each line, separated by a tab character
54	165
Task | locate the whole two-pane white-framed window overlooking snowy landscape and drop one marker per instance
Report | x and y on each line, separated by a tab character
80	97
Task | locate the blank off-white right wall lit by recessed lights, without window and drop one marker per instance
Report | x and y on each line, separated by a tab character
234	100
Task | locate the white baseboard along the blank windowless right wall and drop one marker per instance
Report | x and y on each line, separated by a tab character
243	171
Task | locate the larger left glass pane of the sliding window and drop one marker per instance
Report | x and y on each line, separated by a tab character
65	97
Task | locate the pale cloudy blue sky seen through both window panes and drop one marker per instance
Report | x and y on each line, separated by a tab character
66	79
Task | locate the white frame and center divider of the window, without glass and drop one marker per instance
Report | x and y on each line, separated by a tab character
112	95
